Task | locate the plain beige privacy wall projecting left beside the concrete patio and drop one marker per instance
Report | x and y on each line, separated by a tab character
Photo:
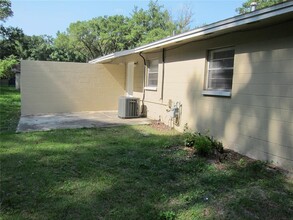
55	87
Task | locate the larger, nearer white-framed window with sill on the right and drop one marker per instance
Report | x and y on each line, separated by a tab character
219	72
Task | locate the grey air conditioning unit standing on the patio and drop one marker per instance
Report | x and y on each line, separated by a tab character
128	107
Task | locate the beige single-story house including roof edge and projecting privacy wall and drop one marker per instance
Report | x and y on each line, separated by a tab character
233	78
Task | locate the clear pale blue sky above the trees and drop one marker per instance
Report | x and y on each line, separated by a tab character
47	17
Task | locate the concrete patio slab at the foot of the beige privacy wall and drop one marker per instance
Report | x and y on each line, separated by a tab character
75	120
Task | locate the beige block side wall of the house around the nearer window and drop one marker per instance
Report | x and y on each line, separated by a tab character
257	120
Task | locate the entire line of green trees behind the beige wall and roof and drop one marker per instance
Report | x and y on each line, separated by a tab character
85	40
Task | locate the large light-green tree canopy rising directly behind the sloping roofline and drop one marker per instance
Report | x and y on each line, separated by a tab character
103	35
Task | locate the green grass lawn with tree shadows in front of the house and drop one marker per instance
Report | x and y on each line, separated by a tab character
130	172
